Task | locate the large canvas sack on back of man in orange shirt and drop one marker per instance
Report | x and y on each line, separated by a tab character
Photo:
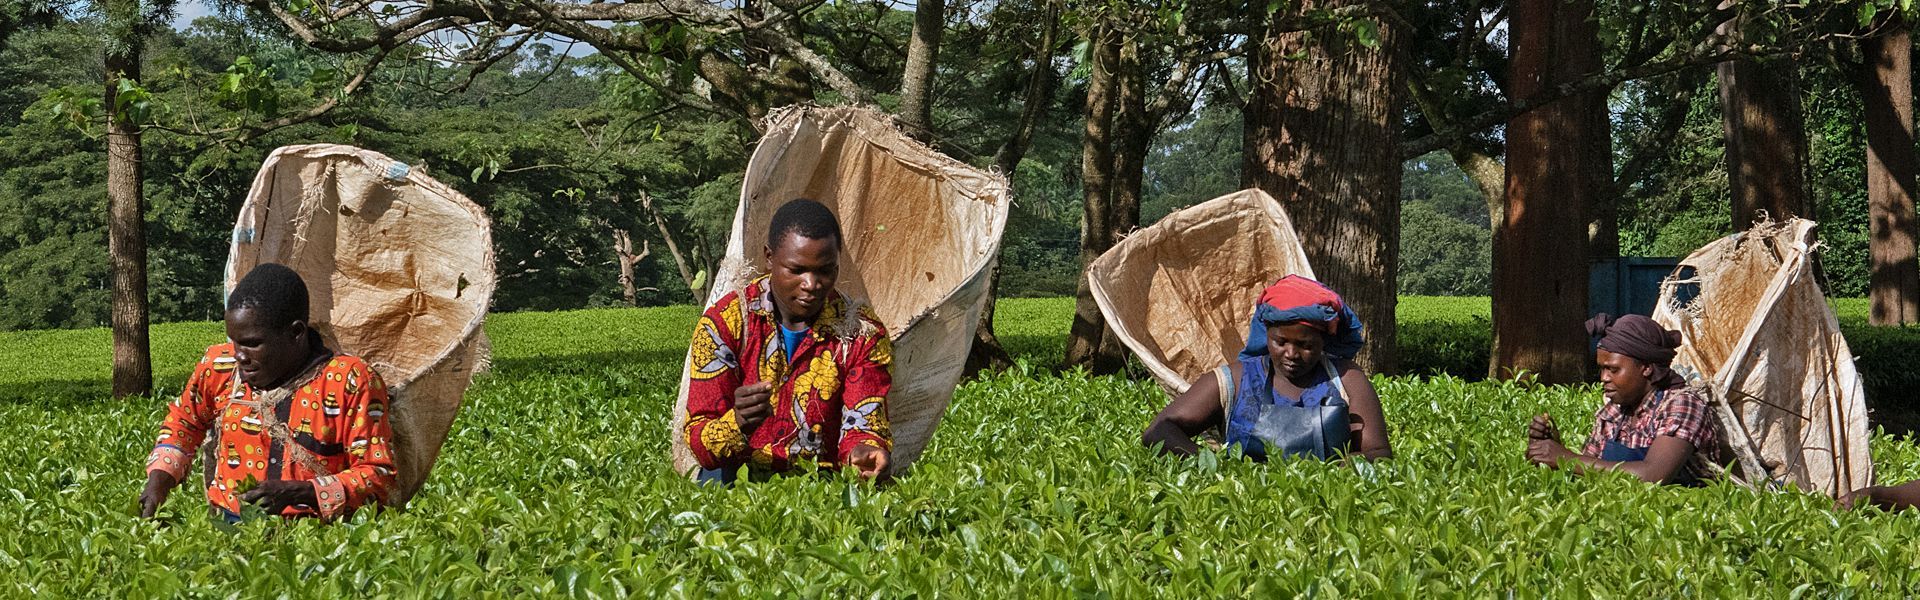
400	270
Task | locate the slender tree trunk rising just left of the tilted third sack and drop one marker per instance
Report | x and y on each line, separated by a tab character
1088	336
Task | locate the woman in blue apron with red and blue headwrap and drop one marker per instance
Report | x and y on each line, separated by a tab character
1295	391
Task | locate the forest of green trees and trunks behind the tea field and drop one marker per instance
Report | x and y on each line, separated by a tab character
608	141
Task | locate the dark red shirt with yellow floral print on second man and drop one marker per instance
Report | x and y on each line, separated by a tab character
838	384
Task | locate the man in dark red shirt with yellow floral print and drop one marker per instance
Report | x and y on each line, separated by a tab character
790	370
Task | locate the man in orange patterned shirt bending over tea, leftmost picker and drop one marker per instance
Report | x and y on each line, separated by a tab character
277	409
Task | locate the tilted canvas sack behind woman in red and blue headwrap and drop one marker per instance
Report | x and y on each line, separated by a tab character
1182	291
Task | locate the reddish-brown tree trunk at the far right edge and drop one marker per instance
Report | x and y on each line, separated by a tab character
1886	91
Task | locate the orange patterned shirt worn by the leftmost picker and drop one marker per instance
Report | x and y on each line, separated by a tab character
339	416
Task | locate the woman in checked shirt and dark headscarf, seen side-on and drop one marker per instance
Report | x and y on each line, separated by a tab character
1652	424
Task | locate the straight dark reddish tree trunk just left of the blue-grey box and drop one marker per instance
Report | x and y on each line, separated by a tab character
1541	257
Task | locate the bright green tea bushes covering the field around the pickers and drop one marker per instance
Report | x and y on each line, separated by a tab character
556	484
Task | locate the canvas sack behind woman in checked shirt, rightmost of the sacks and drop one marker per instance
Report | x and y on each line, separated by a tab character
1764	341
